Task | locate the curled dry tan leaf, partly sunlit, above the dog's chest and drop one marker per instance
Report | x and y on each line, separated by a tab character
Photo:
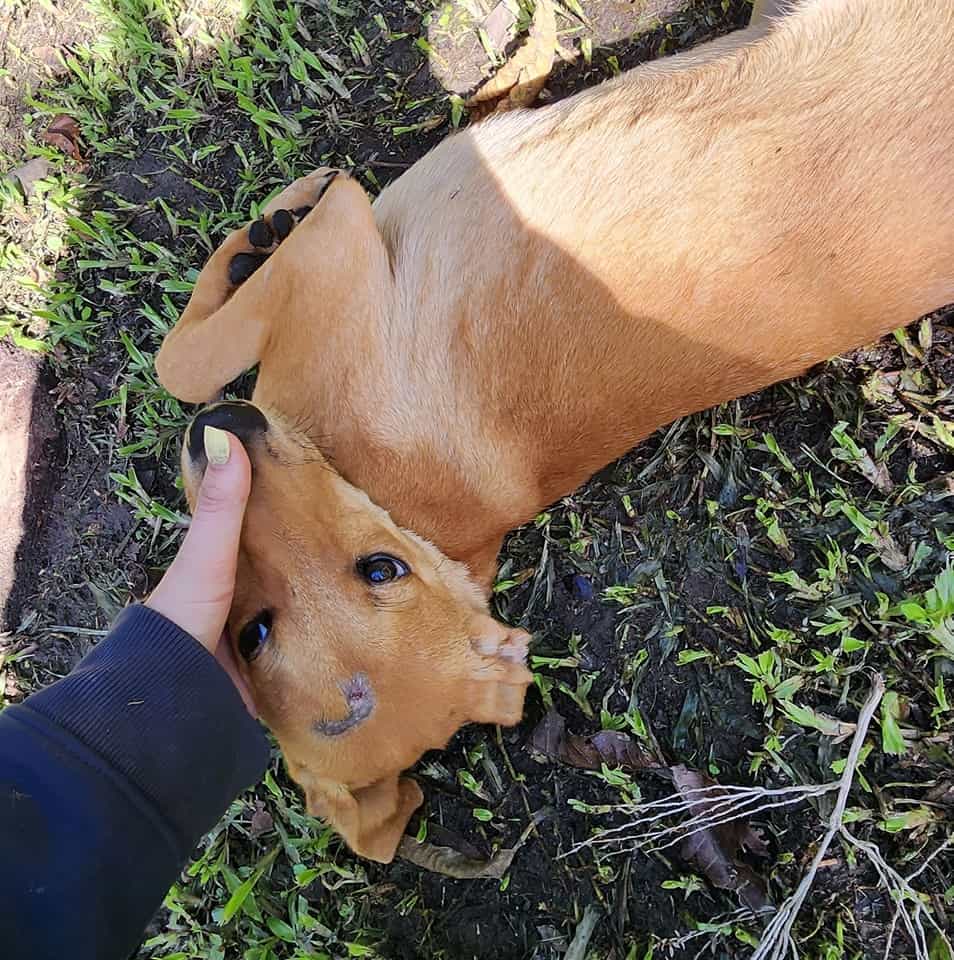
519	81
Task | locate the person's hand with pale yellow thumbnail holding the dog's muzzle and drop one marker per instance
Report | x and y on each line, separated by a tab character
196	591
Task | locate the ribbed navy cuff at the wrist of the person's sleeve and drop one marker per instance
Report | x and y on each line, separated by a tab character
153	703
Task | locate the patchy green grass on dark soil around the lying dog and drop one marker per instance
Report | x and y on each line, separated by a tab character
744	569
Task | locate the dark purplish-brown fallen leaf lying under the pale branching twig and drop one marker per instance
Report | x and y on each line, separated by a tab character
713	850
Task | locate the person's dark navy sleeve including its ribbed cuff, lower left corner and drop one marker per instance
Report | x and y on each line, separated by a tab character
108	779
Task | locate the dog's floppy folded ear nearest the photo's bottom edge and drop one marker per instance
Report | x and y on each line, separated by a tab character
371	820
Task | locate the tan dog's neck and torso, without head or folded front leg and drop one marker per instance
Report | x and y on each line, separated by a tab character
647	249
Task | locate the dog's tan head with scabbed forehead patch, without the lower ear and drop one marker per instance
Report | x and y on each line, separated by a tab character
363	645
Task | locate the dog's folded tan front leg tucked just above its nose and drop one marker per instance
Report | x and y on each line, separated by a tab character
333	262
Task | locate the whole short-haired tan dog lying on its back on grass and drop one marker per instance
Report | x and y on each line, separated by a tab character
527	302
